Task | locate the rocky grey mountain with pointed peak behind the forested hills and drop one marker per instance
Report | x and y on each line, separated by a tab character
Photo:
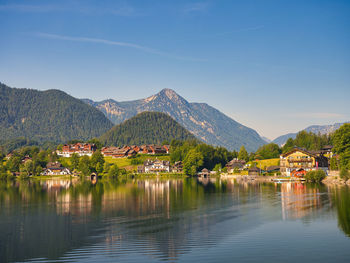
205	122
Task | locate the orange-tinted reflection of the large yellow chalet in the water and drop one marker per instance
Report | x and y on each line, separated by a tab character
298	200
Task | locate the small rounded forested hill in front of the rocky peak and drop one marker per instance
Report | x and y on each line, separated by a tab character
146	128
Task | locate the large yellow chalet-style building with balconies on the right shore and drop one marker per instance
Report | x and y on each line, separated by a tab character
298	162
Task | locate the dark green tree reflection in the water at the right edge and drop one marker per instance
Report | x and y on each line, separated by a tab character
341	199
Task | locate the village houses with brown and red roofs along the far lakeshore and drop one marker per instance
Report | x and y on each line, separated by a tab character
293	164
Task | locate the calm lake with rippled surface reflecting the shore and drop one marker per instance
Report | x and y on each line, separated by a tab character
176	220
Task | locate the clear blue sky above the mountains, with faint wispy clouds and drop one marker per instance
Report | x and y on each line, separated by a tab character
275	66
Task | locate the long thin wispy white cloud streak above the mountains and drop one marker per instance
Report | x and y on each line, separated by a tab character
115	43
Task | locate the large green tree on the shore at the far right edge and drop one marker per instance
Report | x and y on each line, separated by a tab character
341	143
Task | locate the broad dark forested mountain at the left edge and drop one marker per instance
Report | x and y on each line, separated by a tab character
50	115
